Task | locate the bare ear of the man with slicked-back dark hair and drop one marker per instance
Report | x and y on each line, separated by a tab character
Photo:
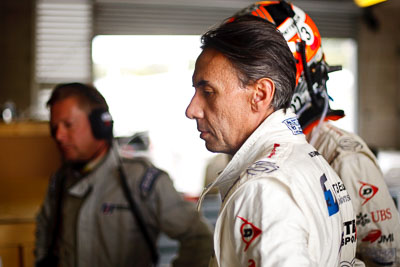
263	94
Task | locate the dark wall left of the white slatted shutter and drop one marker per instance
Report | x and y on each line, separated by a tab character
16	52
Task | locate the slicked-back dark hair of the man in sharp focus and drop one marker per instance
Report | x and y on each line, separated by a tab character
257	50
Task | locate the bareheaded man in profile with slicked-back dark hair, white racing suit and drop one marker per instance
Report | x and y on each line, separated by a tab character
282	204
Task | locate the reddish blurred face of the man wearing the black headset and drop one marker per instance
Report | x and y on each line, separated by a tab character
72	132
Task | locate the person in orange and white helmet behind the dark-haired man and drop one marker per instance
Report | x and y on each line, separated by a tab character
378	223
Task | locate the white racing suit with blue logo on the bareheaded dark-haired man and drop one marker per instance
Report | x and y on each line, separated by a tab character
283	205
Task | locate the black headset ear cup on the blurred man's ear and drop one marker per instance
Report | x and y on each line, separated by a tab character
101	123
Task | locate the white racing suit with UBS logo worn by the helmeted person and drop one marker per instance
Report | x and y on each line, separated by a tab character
377	219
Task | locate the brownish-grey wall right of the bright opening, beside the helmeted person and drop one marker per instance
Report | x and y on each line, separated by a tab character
379	78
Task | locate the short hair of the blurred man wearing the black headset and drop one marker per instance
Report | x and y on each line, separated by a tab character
89	98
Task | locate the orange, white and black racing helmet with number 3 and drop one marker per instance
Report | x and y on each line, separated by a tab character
310	100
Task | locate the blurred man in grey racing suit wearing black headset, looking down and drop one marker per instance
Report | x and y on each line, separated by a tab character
101	210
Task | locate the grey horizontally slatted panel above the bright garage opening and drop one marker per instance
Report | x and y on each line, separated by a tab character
334	18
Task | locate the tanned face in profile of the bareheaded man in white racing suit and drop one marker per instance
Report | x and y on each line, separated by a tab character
220	105
